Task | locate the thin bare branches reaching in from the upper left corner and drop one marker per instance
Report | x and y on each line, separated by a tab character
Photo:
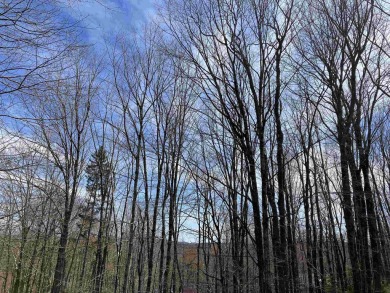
35	34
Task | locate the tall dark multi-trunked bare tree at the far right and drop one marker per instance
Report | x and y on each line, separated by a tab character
343	43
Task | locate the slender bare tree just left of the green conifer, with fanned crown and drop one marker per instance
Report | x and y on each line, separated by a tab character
62	122
